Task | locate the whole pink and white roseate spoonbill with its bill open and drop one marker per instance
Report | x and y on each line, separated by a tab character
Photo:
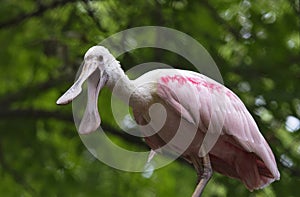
240	151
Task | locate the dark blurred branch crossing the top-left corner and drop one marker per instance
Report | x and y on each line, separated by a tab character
41	9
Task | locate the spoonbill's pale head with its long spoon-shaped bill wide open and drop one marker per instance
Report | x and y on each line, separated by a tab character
96	60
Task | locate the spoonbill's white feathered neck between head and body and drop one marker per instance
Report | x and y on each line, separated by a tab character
121	86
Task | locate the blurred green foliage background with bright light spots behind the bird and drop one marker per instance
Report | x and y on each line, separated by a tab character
255	44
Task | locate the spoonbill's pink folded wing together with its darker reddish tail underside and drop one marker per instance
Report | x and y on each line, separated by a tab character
241	151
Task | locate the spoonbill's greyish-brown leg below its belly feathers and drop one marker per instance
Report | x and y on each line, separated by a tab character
204	172
